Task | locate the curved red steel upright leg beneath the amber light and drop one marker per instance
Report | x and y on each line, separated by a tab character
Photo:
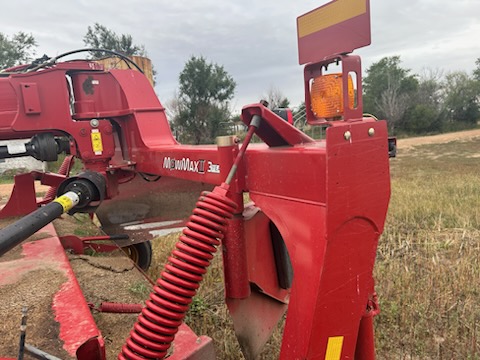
336	235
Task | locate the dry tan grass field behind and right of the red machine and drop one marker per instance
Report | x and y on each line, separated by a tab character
427	270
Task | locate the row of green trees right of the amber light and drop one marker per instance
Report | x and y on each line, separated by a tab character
430	102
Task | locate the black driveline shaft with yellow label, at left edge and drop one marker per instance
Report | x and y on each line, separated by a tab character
15	233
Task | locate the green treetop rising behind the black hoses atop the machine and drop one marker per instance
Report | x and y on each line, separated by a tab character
100	37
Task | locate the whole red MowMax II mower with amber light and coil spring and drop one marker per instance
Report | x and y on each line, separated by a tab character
303	249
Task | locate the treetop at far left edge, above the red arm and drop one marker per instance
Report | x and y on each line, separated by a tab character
16	50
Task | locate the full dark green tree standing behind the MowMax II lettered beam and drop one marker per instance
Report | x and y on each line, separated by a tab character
203	96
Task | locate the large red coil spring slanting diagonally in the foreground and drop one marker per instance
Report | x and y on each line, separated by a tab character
158	323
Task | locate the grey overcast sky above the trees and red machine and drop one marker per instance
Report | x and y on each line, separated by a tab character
255	41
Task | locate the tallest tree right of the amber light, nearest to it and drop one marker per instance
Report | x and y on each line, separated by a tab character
387	89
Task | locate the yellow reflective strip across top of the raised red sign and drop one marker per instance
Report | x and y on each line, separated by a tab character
331	14
